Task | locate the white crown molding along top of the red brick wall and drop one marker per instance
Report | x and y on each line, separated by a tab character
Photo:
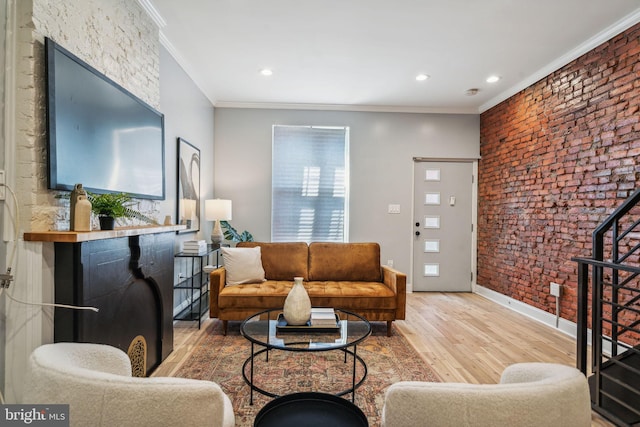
595	41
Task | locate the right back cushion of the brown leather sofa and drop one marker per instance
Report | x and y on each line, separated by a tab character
355	262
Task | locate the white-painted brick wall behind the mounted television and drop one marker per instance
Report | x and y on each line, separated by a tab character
118	38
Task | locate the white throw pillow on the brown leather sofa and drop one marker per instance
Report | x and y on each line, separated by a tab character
243	265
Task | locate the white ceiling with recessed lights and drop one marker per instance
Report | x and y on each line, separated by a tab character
365	54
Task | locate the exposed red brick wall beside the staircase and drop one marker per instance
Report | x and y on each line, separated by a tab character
557	158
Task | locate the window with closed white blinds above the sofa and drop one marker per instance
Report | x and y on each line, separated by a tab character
310	184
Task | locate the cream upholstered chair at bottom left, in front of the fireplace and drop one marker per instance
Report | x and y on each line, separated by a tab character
95	380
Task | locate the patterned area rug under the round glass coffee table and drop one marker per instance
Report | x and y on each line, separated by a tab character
219	358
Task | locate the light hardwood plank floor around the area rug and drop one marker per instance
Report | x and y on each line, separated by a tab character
463	337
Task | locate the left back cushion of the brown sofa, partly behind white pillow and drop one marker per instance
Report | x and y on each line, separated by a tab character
282	261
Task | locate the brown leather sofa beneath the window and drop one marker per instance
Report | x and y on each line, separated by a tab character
338	275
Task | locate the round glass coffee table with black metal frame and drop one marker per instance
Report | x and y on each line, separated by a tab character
268	331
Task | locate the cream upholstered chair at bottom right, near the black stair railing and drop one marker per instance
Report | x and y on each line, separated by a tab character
529	394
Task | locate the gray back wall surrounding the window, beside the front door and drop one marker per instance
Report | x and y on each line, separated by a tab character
382	147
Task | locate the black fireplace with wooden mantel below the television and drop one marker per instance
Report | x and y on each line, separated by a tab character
128	275
